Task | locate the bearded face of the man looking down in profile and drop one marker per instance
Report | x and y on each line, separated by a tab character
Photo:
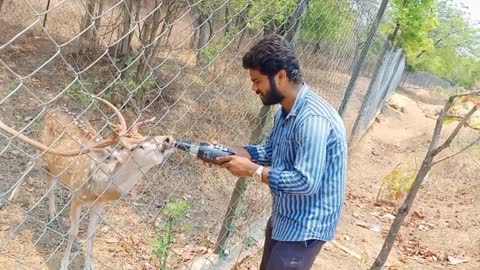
265	87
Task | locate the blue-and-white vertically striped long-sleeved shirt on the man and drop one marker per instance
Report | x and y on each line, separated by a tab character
307	152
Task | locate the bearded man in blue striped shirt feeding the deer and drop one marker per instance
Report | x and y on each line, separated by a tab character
303	160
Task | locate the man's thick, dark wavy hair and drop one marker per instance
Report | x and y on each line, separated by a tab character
272	54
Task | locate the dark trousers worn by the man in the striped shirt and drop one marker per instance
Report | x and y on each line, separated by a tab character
283	255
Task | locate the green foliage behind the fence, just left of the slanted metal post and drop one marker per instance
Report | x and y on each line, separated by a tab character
331	20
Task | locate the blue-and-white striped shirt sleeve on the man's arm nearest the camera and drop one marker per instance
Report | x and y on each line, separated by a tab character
310	160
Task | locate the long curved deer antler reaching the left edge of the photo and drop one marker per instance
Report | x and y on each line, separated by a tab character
54	151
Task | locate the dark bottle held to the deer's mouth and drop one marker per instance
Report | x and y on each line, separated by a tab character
205	151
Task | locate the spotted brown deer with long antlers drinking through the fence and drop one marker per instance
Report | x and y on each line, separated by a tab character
95	172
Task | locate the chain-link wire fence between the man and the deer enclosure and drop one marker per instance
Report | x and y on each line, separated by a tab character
181	62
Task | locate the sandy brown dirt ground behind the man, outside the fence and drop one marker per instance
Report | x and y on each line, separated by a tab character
442	231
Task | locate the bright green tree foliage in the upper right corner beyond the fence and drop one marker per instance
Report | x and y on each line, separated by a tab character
437	38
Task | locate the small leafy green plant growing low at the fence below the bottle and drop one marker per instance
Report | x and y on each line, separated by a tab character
174	214
